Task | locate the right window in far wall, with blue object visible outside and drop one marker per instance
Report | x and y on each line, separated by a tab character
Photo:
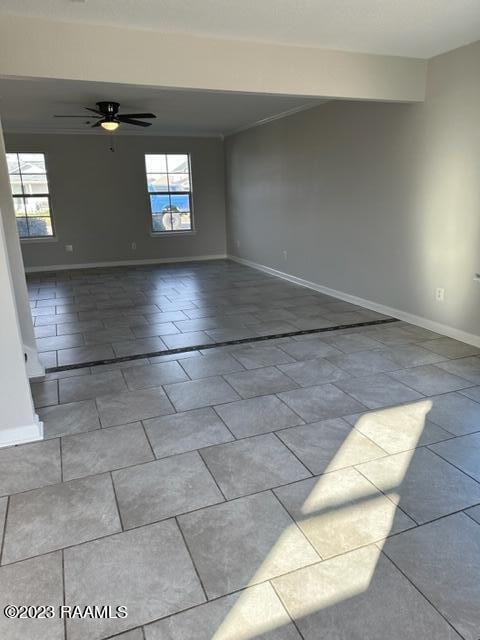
170	191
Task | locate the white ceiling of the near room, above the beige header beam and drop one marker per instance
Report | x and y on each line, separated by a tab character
414	28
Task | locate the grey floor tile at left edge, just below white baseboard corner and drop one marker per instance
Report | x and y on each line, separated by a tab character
29	466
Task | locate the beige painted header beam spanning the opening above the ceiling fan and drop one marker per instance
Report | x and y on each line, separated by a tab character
39	48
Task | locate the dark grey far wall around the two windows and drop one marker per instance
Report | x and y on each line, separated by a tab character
100	204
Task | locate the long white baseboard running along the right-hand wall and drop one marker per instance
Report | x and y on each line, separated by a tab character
443	329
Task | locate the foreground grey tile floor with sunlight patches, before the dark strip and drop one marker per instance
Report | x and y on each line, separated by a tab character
319	487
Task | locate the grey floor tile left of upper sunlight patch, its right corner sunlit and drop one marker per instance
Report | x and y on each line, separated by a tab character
328	445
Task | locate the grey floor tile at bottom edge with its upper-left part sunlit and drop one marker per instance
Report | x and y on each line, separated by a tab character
360	594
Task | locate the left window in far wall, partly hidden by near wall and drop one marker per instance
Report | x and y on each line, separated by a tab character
29	183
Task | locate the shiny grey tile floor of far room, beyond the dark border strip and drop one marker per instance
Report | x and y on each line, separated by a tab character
99	314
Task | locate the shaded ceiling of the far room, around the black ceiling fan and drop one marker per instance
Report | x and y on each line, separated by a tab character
29	105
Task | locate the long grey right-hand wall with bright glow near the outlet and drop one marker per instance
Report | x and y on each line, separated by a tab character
377	200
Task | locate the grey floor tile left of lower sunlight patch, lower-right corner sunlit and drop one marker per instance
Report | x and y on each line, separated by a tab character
244	542
